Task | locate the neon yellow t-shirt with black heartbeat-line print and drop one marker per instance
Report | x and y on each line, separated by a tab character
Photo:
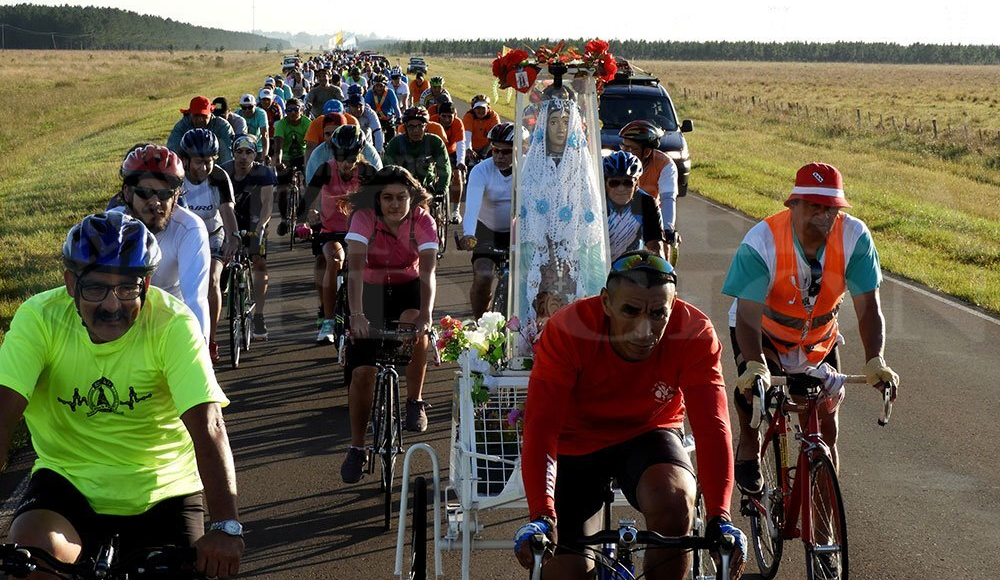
107	416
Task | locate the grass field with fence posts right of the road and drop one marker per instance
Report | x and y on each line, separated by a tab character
932	203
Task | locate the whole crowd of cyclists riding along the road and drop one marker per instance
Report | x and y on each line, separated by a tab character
370	147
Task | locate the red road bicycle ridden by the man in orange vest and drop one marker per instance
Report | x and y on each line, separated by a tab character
788	495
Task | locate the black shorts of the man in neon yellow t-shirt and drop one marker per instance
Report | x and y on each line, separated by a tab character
176	521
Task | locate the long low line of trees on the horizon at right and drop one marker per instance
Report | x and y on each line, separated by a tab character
870	52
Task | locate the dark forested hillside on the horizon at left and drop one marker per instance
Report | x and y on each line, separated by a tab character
27	26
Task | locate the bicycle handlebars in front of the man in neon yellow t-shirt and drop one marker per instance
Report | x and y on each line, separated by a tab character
160	562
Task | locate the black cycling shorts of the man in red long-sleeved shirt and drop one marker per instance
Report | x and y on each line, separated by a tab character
582	479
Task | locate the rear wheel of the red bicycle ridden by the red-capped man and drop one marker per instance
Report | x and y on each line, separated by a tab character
767	514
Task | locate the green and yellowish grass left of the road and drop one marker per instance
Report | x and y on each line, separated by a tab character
61	156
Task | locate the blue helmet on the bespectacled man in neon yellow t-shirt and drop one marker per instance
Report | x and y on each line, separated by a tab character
111	242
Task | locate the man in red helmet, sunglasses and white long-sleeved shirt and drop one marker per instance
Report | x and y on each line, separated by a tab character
153	177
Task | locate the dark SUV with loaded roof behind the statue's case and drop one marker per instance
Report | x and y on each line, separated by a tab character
633	95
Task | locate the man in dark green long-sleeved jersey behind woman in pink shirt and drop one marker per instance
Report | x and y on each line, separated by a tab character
423	155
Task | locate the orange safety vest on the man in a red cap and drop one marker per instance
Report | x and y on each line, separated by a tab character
786	321
